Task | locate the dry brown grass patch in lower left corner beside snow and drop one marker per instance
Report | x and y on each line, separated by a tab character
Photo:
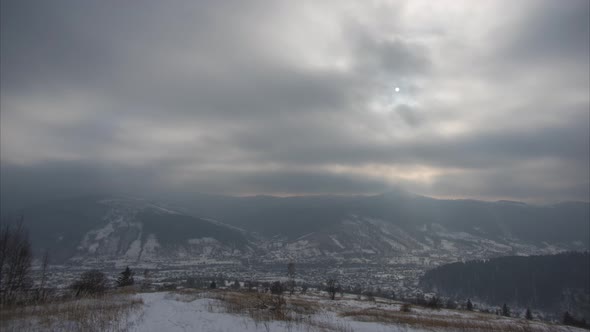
108	312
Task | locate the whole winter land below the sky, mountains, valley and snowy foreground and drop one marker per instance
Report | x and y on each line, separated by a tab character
350	273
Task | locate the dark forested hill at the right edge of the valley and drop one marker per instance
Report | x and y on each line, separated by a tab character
553	283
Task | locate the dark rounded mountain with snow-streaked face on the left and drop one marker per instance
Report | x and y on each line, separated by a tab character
132	230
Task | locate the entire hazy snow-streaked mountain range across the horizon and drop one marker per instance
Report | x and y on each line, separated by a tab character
392	228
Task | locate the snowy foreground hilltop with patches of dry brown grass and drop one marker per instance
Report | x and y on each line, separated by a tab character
224	311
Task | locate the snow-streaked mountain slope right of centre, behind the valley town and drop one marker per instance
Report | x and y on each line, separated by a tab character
359	239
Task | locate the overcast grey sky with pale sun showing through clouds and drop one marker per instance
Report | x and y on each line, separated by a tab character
484	99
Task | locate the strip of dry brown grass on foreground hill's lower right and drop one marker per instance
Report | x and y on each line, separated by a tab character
478	322
